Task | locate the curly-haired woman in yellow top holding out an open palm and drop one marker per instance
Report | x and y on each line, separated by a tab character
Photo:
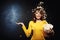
37	25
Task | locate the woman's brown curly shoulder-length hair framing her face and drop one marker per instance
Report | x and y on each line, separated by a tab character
42	12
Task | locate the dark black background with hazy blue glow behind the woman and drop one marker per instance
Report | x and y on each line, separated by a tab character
12	11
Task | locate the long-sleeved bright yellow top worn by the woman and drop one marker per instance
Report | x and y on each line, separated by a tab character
37	28
